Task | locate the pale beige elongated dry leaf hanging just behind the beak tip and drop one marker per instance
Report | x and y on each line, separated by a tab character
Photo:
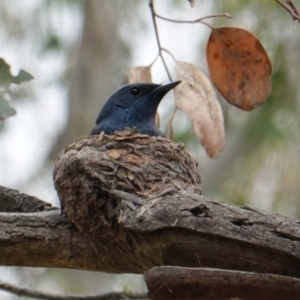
197	99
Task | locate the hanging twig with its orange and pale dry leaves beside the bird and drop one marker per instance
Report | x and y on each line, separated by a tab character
239	69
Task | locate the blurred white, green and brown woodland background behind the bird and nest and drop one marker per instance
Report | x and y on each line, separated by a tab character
79	53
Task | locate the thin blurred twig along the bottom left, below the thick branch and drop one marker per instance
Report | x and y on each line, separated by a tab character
22	292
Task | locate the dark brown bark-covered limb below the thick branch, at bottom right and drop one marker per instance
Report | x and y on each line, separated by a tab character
201	284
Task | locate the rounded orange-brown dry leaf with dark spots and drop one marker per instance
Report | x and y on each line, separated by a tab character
239	67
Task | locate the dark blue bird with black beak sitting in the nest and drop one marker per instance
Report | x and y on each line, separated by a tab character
134	105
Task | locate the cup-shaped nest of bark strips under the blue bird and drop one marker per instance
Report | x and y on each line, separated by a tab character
101	180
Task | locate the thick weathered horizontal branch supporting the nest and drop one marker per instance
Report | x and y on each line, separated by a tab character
189	231
